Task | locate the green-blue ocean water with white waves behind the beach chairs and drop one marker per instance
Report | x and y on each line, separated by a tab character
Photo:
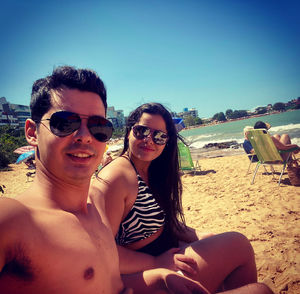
285	122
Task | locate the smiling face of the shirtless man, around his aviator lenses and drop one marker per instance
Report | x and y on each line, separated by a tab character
75	157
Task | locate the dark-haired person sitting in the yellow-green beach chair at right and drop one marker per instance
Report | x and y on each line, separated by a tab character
282	142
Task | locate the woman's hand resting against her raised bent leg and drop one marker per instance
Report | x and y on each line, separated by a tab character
176	262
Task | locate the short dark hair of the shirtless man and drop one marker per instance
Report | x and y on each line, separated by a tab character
63	77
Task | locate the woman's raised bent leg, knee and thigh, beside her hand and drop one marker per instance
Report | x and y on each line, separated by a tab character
225	259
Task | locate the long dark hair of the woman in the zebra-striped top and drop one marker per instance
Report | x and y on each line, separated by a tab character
164	178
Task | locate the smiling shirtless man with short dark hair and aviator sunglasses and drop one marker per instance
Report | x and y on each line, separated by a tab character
53	239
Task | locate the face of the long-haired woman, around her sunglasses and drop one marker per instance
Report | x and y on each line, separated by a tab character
145	149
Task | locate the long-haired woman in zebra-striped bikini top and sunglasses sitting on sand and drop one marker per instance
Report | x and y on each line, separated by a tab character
142	190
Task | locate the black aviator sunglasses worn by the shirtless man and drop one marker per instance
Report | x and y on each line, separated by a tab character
64	123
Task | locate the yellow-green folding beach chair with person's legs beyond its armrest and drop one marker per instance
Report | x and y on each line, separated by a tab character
266	151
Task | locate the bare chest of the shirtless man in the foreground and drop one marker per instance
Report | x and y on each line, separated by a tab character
62	251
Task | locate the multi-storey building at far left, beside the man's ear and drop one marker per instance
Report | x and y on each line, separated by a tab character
13	115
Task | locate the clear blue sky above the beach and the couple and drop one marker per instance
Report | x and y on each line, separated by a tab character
210	55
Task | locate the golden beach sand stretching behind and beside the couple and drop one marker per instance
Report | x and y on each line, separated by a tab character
220	198
